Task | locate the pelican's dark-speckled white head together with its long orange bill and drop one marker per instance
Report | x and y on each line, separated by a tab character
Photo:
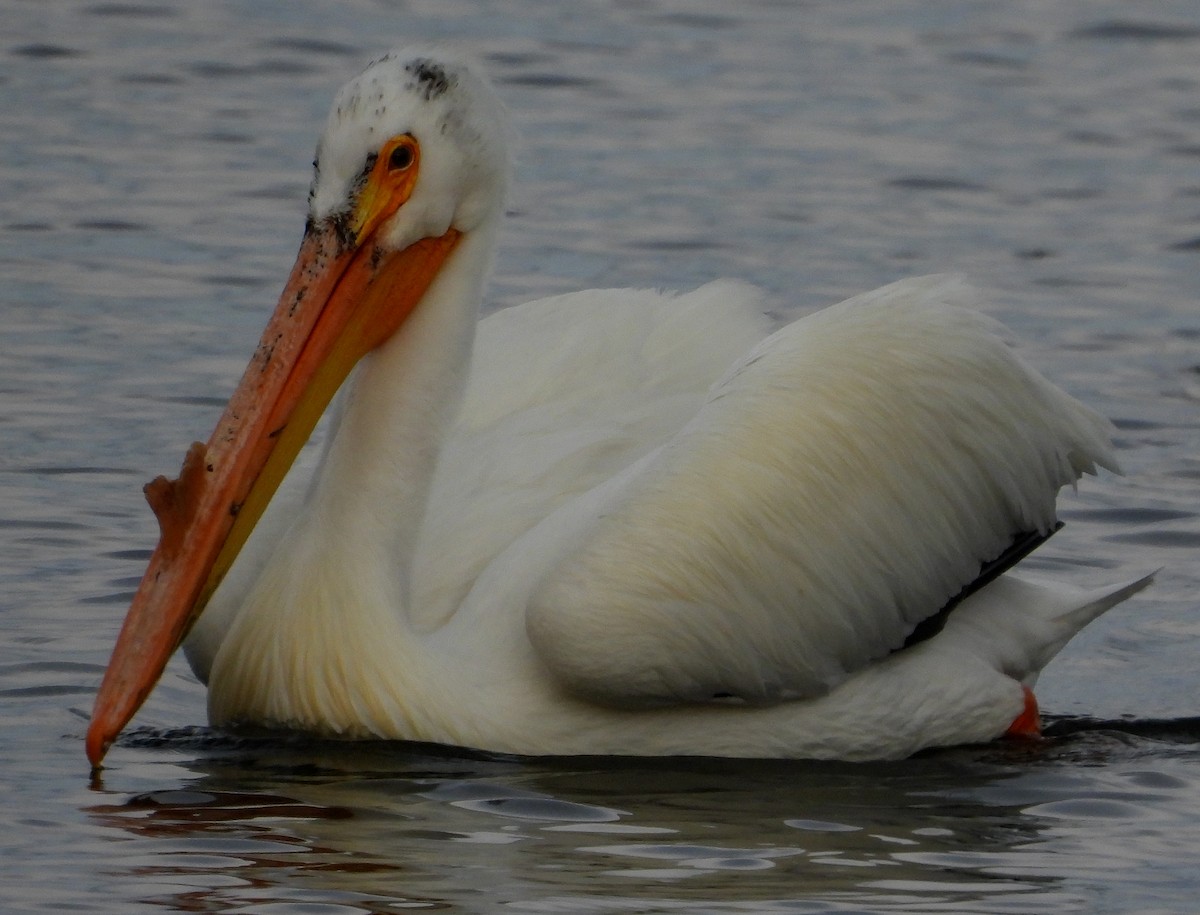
412	162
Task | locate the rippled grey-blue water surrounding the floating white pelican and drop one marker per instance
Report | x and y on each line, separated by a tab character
154	163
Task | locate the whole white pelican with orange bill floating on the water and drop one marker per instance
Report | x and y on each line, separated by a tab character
632	524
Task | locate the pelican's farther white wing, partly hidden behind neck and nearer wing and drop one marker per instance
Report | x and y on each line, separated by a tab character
563	394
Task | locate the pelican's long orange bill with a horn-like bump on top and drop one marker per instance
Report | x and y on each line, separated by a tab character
345	297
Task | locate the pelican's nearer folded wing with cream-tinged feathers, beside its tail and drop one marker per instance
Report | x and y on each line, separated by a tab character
839	486
